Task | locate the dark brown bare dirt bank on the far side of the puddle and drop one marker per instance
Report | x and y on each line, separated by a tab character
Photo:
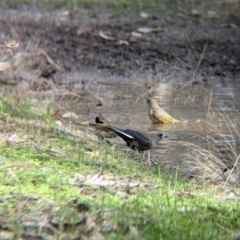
210	46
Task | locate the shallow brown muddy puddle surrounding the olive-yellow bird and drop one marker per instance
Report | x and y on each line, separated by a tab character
204	146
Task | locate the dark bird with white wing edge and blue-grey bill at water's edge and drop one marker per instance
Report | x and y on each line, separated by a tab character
137	140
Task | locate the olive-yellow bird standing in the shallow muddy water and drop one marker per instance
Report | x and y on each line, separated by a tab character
157	114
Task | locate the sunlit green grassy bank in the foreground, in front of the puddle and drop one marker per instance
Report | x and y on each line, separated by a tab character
41	176
